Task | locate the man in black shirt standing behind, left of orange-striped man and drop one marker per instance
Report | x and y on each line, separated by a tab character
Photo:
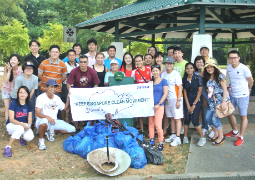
36	59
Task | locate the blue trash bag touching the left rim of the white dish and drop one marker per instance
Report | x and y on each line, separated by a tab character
84	147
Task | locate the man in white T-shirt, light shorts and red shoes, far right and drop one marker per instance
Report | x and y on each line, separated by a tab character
241	82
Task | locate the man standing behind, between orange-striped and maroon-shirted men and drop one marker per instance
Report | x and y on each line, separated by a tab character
71	64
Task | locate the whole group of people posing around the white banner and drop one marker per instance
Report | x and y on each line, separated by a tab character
183	91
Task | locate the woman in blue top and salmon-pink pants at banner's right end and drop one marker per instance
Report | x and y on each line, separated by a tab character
160	91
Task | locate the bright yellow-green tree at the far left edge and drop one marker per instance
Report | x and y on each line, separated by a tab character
14	38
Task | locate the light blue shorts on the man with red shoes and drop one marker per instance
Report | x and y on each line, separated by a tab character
242	104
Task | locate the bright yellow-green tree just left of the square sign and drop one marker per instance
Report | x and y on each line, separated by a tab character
53	36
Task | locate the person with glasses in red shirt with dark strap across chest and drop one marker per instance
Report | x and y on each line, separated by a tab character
141	75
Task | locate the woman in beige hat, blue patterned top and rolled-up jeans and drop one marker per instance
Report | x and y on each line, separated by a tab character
216	84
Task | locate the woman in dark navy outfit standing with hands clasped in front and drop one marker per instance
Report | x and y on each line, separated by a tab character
192	90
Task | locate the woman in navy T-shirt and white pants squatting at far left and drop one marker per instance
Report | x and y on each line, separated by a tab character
20	120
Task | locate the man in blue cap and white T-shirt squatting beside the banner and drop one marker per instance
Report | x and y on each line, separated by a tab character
47	106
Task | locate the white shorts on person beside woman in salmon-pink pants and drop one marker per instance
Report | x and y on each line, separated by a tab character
171	110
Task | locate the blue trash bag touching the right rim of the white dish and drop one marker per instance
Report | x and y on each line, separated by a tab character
138	158
